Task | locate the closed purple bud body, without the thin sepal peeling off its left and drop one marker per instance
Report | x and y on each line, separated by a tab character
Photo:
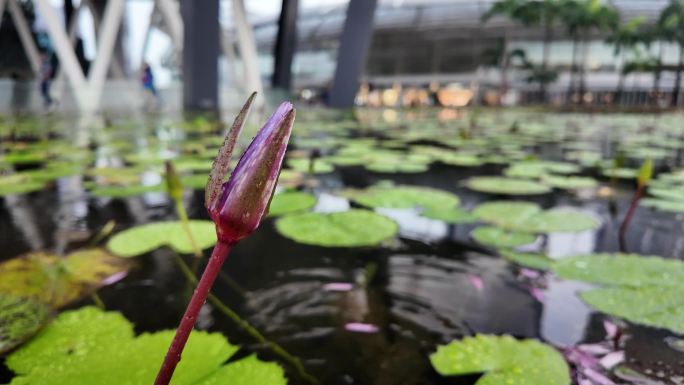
243	200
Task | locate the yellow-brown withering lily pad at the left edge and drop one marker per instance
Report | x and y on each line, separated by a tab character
58	281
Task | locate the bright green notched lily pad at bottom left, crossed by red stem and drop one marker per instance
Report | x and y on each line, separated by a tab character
89	346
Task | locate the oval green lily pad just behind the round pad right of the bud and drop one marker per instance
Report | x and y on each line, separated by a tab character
404	197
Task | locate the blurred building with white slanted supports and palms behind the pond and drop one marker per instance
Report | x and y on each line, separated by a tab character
415	52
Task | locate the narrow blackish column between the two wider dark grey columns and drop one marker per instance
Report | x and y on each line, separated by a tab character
286	43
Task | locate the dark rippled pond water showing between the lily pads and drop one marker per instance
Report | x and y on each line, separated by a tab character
420	294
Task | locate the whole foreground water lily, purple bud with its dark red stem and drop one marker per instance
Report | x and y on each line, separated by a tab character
236	207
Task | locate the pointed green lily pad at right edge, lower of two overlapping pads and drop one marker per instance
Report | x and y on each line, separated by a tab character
657	306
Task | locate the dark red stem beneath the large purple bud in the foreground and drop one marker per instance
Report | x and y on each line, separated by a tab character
173	356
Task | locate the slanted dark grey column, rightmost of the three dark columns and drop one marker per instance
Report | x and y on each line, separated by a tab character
351	56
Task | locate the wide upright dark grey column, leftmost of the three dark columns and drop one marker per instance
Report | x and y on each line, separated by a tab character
200	54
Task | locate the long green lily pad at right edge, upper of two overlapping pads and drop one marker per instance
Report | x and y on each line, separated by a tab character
621	269
